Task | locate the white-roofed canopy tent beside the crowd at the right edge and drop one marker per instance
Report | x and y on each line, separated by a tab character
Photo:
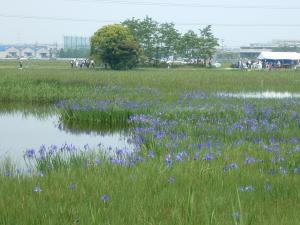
286	59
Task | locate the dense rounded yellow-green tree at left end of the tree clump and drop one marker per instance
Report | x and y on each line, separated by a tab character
115	45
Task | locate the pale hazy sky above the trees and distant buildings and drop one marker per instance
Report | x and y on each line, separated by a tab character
15	28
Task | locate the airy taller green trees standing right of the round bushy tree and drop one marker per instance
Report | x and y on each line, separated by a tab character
163	40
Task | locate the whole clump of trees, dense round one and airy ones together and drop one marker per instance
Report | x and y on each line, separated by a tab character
121	46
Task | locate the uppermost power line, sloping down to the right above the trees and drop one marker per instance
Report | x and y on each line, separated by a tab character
190	5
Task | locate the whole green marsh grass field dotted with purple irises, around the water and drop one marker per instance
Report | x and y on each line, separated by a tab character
200	159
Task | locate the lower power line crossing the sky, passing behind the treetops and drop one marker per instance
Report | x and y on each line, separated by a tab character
274	25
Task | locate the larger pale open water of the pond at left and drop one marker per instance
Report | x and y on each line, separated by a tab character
19	131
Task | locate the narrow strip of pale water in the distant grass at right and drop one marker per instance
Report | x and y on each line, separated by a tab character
260	95
